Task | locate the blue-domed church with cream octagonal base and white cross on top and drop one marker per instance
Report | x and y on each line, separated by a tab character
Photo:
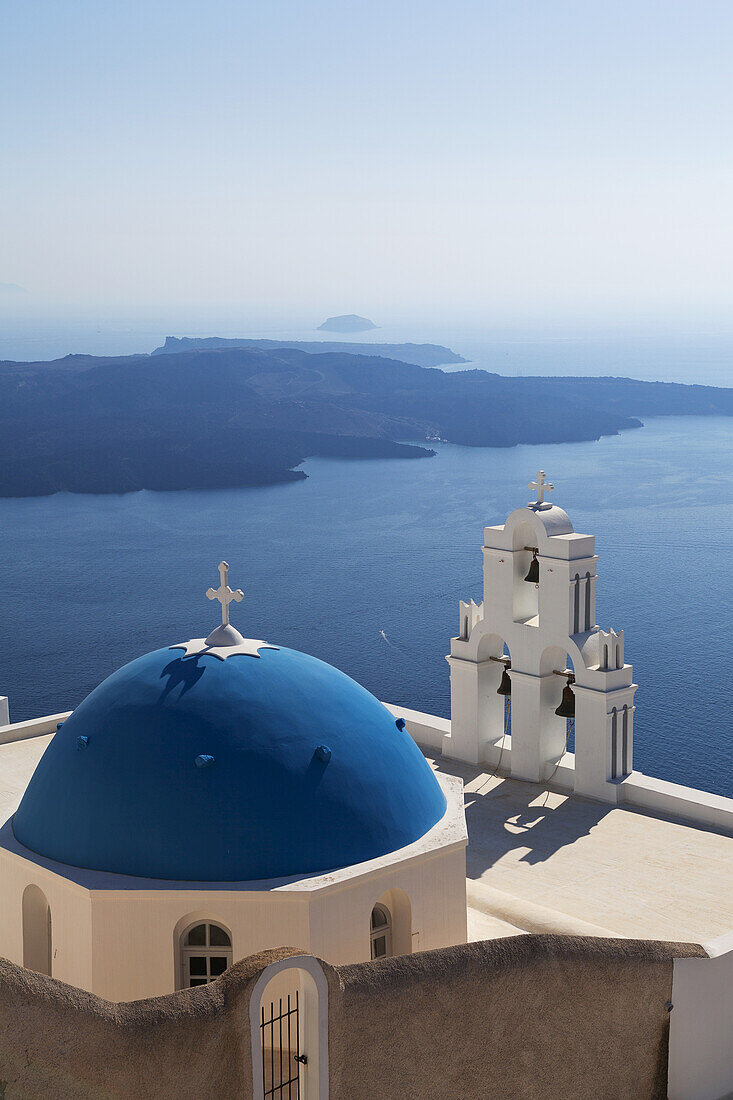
218	798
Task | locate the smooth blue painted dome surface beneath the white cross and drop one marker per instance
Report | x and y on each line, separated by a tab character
200	769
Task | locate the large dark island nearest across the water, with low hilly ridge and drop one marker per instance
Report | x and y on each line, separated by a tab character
225	417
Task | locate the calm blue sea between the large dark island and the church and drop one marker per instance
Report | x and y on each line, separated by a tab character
363	547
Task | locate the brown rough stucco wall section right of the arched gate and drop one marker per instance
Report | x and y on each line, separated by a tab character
557	1017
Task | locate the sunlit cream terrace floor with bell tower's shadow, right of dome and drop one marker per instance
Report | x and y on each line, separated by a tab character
630	873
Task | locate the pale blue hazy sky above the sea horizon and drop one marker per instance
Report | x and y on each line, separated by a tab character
466	158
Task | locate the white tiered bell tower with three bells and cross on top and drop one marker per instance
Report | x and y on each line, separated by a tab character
539	621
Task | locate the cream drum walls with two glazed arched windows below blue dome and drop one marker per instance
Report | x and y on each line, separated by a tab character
136	934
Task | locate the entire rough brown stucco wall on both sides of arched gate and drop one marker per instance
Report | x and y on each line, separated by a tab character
556	1017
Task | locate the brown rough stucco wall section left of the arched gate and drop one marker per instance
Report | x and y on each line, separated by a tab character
58	1041
